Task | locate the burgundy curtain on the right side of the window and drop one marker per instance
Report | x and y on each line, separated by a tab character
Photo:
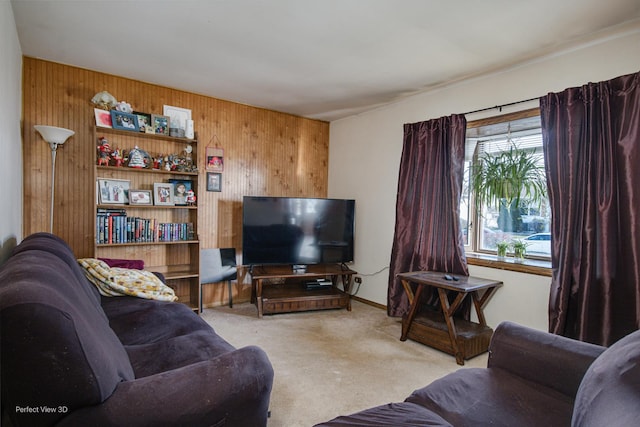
591	140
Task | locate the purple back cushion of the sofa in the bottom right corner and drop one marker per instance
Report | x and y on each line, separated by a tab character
609	394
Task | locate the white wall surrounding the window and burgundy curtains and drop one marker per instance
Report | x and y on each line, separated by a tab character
365	154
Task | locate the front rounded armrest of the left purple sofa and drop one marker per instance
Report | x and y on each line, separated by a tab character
232	389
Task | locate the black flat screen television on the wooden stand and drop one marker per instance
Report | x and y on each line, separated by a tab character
294	230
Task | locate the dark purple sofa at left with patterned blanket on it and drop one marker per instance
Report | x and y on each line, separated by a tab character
70	357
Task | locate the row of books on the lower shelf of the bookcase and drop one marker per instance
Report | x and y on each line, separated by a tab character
114	226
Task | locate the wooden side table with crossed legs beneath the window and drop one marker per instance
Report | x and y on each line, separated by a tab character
459	337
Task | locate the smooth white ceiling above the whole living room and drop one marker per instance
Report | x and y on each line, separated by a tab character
322	59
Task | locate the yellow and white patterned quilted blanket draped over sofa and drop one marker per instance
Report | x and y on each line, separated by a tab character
116	281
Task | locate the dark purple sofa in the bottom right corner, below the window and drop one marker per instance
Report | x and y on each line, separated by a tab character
532	379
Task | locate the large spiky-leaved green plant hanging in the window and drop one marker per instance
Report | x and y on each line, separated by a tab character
504	179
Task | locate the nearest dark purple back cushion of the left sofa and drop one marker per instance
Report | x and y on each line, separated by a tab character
57	348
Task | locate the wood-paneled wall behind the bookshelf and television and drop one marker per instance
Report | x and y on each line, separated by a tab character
265	152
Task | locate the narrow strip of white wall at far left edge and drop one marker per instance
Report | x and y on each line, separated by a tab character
11	190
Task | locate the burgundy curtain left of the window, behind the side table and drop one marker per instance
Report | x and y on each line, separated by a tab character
427	232
